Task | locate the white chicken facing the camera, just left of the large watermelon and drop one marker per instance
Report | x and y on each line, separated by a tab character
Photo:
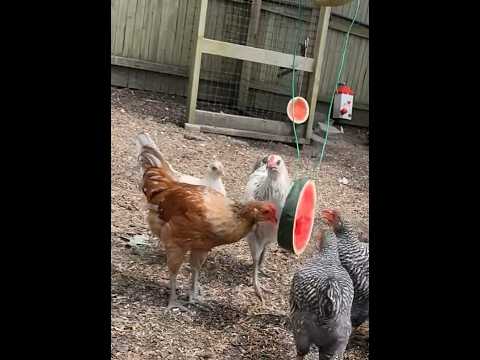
269	181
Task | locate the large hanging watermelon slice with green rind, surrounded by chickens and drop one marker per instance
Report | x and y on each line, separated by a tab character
298	214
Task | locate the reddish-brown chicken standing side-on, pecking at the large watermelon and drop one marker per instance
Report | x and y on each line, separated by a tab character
194	218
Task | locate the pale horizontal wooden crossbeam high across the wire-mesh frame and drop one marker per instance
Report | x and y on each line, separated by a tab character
261	56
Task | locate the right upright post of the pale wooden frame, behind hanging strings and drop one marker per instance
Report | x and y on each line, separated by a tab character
320	42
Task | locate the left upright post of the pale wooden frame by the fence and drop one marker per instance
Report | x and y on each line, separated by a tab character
196	63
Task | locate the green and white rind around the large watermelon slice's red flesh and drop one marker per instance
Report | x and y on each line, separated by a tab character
286	225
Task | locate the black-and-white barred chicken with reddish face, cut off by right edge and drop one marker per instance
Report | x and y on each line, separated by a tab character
354	258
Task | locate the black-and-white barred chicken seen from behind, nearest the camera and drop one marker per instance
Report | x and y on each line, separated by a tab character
320	302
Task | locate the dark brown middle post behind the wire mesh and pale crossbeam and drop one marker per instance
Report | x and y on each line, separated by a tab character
255	11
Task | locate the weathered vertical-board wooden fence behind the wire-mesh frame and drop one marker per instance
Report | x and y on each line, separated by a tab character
151	46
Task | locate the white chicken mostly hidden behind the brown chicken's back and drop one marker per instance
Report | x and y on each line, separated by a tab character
212	179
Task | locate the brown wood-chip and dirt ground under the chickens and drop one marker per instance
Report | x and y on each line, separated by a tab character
239	326
